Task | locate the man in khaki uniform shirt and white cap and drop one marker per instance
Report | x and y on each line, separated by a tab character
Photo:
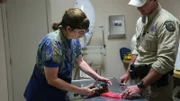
157	33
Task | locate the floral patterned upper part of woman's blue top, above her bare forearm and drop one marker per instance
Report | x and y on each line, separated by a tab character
55	50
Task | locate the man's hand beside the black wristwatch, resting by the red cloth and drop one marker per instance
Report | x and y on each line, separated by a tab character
130	91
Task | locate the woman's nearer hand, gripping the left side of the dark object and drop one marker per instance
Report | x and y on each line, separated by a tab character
87	91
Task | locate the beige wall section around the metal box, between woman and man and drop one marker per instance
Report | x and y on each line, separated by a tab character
113	66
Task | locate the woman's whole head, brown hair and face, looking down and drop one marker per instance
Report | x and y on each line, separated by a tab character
74	23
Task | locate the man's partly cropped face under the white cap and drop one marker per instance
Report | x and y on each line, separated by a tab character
147	8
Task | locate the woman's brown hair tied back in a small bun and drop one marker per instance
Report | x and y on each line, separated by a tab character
75	18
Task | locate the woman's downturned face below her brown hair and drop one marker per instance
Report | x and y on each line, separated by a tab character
76	33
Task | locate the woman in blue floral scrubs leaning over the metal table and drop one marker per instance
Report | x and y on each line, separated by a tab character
57	54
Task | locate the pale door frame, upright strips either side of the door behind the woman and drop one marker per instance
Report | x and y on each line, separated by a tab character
8	49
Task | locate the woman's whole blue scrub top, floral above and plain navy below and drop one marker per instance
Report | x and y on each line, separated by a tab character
54	51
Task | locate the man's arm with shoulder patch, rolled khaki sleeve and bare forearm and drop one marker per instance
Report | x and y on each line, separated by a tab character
166	53
